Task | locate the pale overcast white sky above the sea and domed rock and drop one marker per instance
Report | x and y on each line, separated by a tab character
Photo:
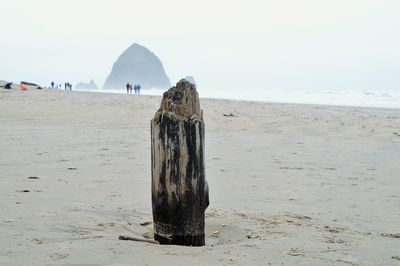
289	44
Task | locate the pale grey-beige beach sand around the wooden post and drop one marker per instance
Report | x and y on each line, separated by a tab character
289	184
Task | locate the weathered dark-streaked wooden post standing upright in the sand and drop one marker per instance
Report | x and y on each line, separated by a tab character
179	187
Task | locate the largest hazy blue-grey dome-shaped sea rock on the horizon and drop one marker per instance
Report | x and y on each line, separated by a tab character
135	65
